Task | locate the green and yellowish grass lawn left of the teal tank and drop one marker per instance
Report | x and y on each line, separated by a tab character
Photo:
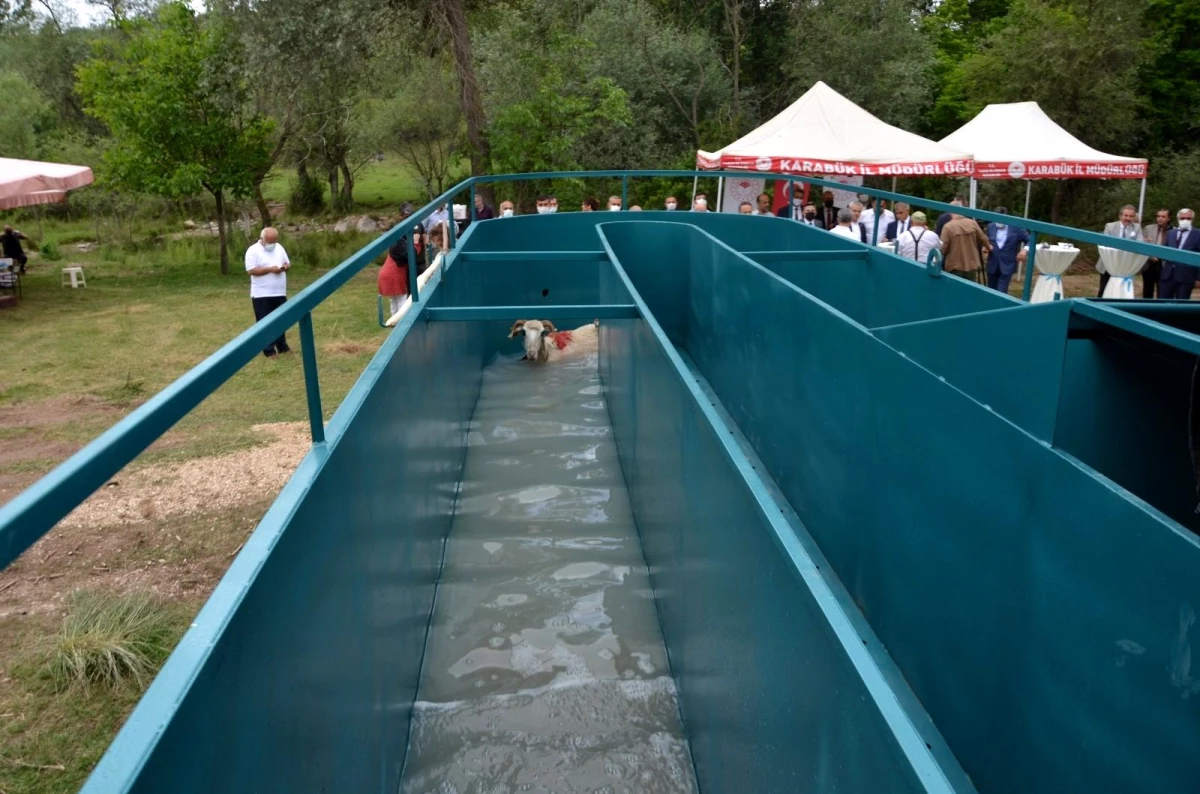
76	363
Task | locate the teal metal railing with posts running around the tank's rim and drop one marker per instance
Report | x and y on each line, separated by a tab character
35	512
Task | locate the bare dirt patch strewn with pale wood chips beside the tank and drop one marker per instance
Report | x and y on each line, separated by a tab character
172	530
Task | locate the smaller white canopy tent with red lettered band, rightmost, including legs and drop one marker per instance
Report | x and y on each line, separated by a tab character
1019	141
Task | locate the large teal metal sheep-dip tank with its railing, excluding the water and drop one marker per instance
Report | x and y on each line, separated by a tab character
904	534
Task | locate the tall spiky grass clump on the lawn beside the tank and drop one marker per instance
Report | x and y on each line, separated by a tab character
110	640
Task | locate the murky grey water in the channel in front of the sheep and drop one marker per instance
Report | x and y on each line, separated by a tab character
545	669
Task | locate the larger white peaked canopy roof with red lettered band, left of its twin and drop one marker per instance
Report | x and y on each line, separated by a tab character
826	134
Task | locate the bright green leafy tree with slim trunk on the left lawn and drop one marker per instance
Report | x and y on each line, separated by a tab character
175	100
